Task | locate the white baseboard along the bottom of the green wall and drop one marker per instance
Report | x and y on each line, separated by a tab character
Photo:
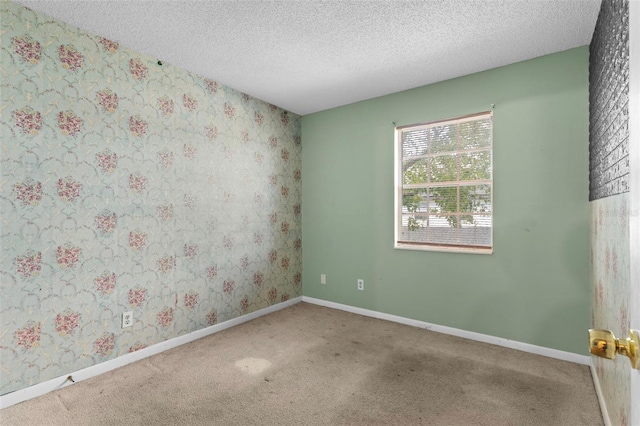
525	347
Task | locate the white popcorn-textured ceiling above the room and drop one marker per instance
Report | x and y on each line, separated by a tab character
307	56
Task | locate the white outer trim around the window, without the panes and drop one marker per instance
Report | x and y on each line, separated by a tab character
397	214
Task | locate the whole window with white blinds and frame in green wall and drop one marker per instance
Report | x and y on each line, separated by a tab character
444	185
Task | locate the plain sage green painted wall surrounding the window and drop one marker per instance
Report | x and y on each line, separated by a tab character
534	288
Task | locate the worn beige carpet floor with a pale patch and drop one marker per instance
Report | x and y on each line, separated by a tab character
309	365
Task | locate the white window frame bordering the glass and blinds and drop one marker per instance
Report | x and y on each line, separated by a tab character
398	189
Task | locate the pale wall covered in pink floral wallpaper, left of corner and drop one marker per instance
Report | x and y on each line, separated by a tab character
131	186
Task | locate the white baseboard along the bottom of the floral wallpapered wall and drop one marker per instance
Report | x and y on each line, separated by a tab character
34	391
